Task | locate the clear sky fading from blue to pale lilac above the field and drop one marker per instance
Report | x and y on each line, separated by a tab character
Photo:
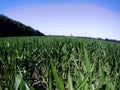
91	18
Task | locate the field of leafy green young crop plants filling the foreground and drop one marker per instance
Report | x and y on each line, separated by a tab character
59	63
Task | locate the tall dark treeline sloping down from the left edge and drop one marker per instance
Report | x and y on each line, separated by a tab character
9	27
